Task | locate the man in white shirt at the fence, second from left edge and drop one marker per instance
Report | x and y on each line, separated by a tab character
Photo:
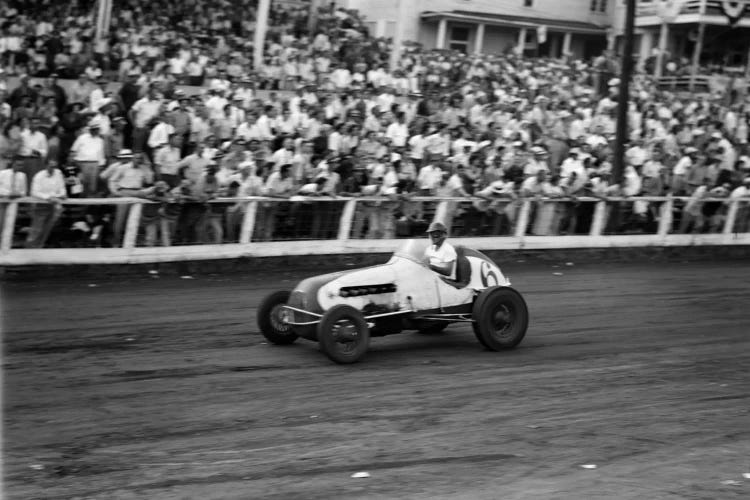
49	187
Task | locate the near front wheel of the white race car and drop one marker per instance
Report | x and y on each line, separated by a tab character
343	334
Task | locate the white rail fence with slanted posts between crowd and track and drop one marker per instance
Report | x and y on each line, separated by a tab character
730	227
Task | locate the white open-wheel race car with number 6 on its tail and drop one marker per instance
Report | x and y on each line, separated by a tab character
342	310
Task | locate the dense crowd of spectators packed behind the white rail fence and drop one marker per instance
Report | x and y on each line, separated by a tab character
328	119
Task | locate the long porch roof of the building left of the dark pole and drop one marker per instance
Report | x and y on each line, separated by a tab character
517	21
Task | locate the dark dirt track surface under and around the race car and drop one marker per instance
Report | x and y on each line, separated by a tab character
164	389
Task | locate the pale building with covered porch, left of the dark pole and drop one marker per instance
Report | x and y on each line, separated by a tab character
581	28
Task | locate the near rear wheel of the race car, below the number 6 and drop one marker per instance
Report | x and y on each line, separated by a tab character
501	318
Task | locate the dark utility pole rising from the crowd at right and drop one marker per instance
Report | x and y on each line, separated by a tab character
623	97
